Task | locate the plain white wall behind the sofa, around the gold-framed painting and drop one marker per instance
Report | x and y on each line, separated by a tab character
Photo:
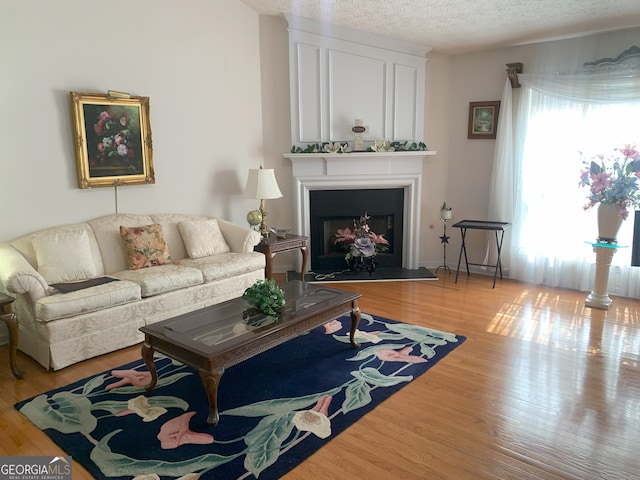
198	61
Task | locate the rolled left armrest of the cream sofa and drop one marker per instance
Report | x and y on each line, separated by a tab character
18	276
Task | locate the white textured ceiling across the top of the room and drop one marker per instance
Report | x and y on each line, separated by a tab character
464	26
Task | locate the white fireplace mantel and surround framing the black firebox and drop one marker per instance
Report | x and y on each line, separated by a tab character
363	170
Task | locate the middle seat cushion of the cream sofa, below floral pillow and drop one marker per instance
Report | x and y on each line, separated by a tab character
162	278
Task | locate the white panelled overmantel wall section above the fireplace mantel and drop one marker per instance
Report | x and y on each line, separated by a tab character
338	75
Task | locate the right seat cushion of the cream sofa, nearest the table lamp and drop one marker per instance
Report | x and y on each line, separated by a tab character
225	265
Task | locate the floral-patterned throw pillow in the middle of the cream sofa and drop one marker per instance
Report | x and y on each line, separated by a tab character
145	245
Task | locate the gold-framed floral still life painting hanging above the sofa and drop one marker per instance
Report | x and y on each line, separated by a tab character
112	139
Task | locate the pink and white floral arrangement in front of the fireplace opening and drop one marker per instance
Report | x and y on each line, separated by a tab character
362	243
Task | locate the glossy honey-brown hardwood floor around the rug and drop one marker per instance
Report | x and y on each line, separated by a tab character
543	388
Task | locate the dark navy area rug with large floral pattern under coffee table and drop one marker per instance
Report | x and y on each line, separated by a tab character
276	408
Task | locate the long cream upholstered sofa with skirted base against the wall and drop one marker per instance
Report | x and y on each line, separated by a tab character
211	260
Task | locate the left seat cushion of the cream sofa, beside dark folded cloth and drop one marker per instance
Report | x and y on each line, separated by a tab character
87	300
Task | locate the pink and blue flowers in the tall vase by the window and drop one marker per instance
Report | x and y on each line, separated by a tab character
613	179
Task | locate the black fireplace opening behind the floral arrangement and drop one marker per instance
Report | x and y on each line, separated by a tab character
331	210
